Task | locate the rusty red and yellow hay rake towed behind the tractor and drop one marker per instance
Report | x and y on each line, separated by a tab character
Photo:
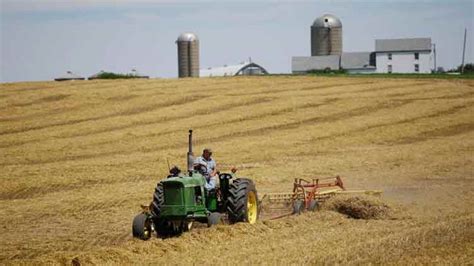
307	195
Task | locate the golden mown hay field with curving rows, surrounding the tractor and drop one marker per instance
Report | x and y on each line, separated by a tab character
78	158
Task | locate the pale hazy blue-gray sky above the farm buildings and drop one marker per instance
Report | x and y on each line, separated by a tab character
42	39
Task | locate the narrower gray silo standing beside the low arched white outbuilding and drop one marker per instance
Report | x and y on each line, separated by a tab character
188	55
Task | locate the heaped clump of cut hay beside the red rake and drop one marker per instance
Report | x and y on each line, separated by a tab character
359	207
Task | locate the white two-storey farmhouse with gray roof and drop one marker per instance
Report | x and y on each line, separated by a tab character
403	55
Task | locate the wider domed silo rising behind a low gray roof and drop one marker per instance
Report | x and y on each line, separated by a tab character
326	36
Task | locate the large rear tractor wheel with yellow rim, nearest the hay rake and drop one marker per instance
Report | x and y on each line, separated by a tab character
239	192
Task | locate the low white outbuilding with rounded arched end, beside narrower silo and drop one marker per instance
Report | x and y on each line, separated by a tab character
244	68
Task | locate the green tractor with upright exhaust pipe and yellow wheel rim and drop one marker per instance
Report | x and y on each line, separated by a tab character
180	200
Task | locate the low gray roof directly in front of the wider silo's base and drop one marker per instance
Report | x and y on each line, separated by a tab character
306	63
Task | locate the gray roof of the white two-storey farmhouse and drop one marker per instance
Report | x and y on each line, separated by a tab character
399	45
